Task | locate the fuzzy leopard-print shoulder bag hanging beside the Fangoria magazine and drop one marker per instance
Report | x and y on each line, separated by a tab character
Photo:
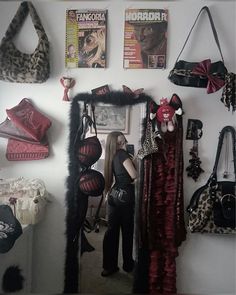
16	66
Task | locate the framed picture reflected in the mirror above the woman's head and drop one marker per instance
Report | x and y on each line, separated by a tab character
111	118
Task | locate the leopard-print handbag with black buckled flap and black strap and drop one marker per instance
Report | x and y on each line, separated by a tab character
212	206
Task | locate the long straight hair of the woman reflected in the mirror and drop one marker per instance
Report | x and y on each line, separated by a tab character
110	151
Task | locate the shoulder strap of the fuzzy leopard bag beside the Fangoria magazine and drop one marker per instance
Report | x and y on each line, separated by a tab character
24	9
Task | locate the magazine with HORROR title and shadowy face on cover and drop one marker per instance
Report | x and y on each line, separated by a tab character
145	38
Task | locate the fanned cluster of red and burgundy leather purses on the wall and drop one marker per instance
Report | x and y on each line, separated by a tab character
26	132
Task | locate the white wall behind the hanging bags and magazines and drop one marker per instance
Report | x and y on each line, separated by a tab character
207	263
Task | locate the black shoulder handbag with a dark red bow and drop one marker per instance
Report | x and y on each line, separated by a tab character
204	74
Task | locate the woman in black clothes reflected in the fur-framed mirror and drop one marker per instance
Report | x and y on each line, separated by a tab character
119	174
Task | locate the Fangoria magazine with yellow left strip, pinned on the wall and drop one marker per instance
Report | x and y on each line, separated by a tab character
86	38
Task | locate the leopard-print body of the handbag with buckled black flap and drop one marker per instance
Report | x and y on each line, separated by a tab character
201	218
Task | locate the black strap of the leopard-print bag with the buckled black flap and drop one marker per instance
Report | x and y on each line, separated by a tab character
224	131
